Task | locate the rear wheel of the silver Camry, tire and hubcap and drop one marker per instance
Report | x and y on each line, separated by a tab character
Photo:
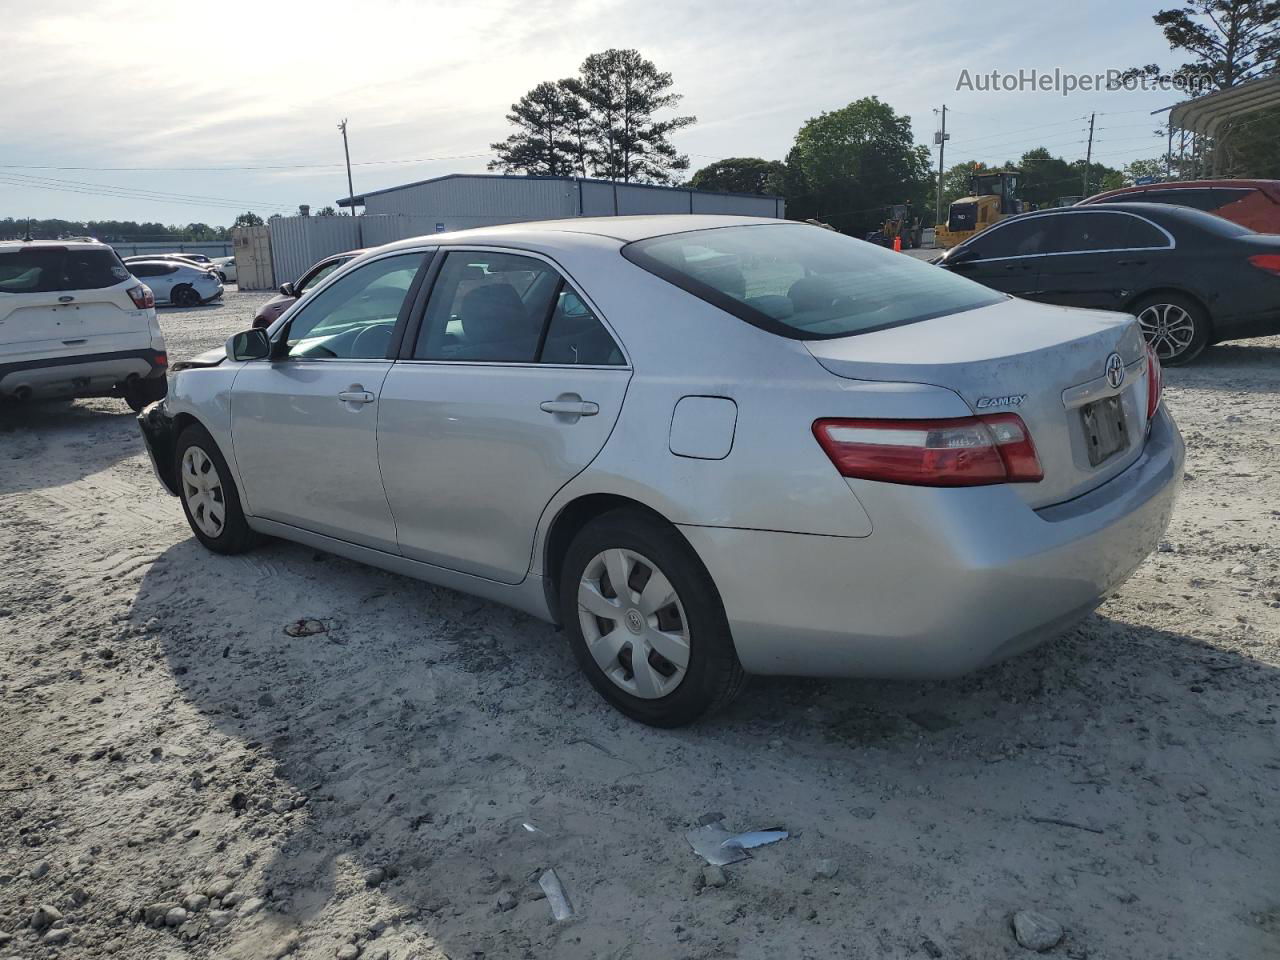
691	624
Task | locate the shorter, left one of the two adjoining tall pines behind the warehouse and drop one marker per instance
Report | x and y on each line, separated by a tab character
545	140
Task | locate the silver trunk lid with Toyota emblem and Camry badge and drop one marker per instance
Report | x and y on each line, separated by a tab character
1046	364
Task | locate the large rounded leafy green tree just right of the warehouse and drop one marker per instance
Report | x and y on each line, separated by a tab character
849	164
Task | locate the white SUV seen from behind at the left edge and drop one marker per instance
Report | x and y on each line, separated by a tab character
74	323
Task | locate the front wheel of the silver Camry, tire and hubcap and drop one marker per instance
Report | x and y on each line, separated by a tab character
234	534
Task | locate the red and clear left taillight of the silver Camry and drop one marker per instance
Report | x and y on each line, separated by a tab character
961	452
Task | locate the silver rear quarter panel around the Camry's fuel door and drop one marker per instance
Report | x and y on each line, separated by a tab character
776	477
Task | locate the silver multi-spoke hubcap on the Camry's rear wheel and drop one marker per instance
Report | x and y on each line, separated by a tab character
634	624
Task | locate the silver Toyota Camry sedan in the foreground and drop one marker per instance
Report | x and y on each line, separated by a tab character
705	446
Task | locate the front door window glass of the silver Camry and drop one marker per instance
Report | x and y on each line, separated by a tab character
354	318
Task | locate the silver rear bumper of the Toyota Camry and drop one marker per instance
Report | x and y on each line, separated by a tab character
949	582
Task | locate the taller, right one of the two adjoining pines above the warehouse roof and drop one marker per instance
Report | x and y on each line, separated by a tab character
620	93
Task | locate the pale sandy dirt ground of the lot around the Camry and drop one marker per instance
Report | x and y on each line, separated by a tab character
181	778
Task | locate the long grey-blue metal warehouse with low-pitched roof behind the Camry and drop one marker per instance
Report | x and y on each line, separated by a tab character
459	202
